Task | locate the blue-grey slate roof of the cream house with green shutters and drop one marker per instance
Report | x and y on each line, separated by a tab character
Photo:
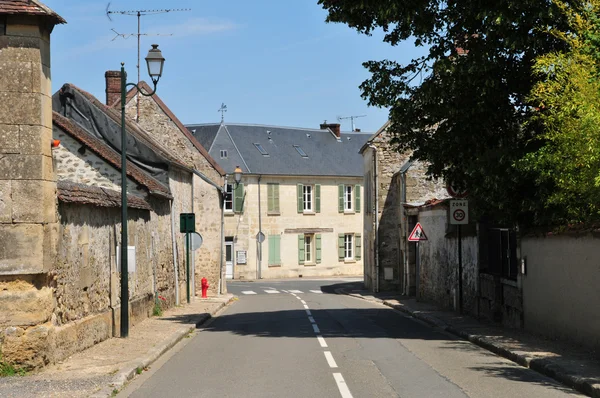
281	149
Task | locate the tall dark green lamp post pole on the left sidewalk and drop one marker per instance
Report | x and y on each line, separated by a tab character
124	268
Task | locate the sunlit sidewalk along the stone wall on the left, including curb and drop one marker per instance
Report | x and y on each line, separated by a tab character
107	366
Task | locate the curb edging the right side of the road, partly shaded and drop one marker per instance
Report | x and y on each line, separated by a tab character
540	365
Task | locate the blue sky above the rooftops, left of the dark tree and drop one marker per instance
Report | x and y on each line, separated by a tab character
270	61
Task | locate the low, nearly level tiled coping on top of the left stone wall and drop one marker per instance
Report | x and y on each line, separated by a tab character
71	192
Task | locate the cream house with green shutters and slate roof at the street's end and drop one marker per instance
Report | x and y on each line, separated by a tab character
297	210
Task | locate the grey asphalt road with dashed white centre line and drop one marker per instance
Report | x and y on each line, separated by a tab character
291	342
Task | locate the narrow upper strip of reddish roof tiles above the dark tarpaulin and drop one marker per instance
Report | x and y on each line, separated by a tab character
132	128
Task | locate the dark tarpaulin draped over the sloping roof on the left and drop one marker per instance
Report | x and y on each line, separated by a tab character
70	103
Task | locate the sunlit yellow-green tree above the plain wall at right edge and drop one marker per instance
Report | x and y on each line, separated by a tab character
567	96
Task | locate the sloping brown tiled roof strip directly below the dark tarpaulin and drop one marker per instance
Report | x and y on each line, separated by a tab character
109	155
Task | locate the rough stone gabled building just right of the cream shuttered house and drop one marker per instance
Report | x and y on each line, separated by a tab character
391	181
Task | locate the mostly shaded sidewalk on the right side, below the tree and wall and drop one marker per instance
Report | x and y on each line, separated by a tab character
568	364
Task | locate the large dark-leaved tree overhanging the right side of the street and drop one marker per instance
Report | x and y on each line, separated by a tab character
467	116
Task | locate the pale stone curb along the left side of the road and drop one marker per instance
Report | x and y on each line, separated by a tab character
129	371
